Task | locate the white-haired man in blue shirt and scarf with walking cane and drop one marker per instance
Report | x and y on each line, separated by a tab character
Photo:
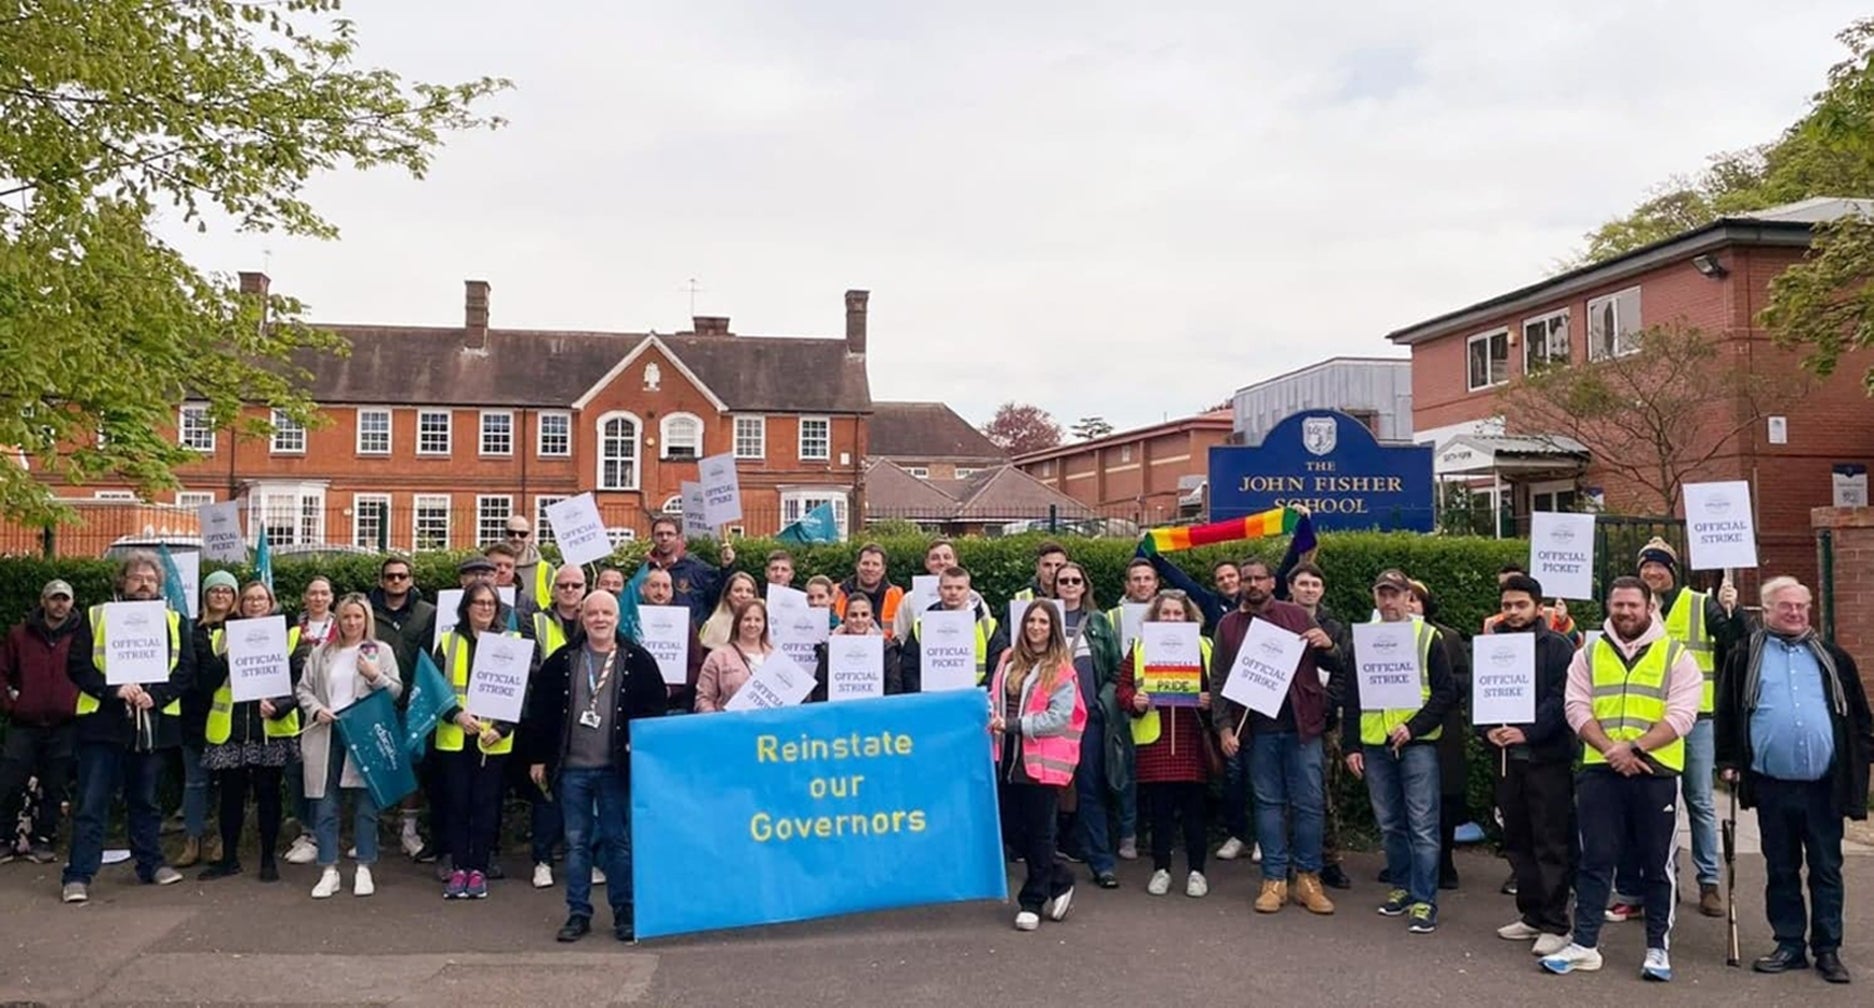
1794	739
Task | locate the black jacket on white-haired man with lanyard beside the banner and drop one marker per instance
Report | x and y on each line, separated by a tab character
548	722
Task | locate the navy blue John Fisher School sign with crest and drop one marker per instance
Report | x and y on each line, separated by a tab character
1333	466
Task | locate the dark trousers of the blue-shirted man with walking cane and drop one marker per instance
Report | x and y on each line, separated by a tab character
1796	823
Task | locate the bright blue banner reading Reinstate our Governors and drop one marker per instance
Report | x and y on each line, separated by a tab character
803	812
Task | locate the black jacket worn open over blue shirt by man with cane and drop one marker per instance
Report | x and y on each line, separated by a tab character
1854	730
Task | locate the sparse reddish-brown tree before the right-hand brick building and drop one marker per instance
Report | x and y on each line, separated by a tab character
1658	415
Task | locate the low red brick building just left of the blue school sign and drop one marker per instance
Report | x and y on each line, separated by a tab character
1135	475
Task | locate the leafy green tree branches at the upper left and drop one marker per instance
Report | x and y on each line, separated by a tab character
211	111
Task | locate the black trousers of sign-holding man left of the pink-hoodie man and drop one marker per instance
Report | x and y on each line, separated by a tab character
1538	803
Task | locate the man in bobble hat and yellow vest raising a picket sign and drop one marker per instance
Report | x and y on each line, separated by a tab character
1708	629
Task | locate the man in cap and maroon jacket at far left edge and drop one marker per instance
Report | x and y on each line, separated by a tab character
38	702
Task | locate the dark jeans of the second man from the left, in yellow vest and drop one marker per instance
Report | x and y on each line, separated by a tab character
104	771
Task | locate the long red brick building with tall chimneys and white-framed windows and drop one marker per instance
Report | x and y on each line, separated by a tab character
434	436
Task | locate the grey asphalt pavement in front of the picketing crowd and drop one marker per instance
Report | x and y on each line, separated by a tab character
239	941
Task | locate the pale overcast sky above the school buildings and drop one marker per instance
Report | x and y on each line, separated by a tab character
1103	209
